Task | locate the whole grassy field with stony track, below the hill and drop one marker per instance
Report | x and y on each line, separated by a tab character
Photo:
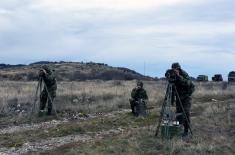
97	112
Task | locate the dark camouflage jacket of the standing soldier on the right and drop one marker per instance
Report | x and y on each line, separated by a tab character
184	85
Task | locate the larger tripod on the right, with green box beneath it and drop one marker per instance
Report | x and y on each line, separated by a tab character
167	116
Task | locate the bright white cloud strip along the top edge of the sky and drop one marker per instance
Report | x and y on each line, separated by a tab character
71	5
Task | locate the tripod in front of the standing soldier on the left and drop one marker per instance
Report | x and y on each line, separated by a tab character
41	83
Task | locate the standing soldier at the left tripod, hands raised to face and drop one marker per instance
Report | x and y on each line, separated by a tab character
47	75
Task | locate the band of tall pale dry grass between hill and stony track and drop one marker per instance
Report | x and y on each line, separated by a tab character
98	96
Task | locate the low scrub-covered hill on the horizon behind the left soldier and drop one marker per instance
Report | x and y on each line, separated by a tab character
70	71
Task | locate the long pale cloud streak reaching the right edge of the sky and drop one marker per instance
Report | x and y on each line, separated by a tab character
189	29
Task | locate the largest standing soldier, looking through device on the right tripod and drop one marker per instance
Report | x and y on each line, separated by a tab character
185	88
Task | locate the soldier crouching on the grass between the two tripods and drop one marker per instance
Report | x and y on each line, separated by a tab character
137	94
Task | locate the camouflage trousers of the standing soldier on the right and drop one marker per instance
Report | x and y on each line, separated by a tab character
186	106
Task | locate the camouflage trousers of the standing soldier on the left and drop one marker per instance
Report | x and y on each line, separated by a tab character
44	99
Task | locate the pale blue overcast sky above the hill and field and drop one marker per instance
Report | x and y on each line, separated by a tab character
200	34
